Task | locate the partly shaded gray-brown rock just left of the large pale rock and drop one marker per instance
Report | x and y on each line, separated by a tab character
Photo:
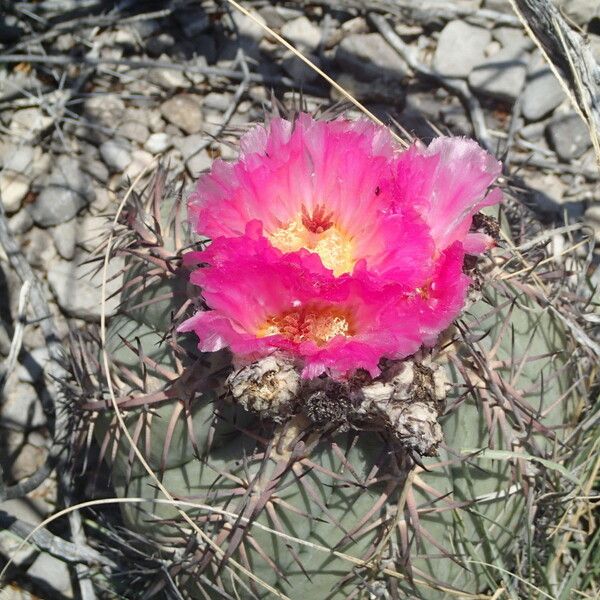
368	56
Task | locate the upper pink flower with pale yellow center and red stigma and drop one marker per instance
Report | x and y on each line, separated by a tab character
317	185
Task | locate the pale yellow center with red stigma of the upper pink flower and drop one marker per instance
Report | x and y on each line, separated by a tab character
316	233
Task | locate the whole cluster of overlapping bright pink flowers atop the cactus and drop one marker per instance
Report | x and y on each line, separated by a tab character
331	245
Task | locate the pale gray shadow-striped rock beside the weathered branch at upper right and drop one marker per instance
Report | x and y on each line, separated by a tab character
542	93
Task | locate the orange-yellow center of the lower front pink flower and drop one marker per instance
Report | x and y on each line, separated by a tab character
318	324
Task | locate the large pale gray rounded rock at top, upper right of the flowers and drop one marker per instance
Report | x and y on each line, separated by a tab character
460	47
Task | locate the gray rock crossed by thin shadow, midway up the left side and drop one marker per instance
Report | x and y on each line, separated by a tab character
65	192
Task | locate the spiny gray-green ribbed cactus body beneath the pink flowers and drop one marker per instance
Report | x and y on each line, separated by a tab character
351	520
